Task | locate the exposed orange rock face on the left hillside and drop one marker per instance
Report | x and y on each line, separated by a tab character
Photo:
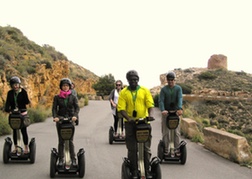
44	84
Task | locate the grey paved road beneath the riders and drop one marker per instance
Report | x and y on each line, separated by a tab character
103	161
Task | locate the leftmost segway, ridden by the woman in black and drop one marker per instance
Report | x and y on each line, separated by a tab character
16	122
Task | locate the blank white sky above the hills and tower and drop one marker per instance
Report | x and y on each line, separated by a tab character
152	37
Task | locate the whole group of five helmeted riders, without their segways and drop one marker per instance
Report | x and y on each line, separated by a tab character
130	103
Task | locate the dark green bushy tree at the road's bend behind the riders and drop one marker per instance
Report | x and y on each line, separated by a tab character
104	85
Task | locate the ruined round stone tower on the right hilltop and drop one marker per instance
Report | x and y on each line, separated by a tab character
217	61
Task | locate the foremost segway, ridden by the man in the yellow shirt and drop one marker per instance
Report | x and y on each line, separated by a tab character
143	130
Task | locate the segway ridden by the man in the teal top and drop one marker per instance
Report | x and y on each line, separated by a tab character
172	122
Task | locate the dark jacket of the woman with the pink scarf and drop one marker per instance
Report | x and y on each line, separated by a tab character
68	109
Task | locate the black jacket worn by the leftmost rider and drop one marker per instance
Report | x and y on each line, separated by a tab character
22	100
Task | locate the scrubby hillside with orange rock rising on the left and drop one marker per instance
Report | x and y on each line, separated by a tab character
39	67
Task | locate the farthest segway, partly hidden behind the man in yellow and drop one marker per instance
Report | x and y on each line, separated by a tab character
120	137
